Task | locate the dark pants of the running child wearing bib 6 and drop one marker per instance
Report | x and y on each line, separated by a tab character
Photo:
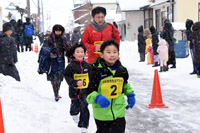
80	106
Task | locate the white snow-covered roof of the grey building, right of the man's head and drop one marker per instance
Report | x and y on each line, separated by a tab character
127	5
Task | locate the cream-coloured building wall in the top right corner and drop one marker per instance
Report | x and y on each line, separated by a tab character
186	9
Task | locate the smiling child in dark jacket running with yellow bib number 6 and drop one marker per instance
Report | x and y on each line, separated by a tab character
78	87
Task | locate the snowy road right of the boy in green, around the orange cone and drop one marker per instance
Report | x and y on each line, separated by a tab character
180	92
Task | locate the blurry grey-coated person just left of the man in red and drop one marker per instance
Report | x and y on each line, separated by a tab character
76	35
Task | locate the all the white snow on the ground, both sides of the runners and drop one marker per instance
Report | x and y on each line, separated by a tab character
29	107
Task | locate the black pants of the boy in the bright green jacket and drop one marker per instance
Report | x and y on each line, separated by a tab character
115	126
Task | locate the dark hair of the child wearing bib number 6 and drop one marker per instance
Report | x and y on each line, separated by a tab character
73	48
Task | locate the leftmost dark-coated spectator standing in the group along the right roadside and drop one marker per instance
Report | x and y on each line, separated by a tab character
141	43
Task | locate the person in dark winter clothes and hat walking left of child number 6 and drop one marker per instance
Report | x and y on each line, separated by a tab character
59	46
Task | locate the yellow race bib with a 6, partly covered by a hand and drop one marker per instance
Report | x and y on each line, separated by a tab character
84	77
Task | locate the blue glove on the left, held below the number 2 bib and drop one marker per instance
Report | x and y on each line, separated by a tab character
102	101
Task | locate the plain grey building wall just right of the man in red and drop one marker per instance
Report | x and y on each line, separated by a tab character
133	20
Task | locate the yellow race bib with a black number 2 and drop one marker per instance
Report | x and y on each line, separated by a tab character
112	87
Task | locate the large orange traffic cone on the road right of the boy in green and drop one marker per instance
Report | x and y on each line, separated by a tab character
156	99
